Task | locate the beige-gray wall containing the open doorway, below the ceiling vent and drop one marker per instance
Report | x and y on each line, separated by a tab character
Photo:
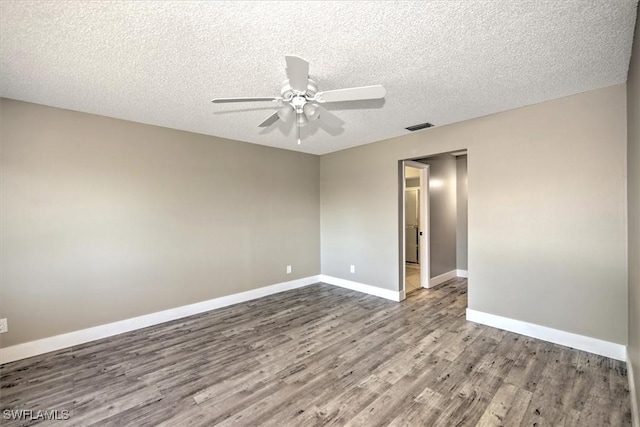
547	211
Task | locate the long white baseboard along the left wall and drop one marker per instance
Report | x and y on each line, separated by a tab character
58	342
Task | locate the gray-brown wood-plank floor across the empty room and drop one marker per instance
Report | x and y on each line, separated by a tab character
323	355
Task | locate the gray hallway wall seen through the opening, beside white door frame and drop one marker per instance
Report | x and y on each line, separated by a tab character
442	213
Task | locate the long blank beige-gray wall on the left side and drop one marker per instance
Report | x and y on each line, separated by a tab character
103	219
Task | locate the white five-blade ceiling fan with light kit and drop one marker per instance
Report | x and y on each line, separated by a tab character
300	100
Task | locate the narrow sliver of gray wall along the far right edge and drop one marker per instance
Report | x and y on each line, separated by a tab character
633	203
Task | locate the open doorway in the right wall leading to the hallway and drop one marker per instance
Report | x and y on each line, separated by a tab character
433	220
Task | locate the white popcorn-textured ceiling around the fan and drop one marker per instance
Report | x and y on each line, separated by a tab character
161	62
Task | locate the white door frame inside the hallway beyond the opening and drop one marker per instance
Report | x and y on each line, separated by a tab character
423	231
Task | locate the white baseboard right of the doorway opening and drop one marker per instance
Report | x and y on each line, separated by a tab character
568	339
